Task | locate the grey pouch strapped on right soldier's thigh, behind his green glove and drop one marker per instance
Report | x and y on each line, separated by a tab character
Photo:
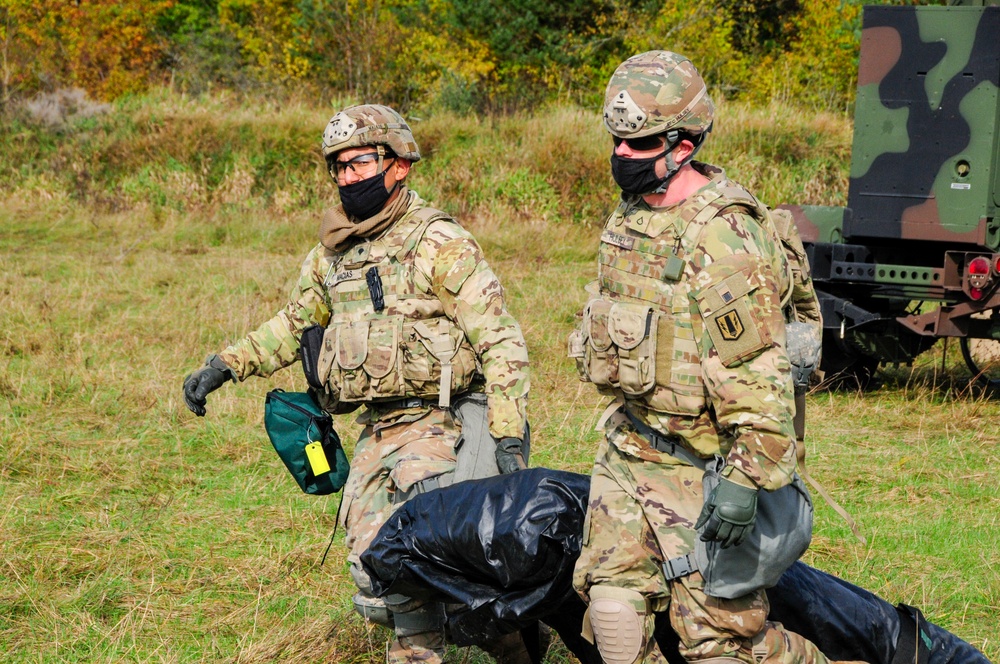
781	534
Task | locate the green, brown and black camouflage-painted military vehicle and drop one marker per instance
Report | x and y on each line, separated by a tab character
915	256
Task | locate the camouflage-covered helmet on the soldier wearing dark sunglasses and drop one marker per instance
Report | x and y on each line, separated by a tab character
657	92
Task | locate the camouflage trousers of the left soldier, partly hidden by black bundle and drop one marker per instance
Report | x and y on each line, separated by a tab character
388	463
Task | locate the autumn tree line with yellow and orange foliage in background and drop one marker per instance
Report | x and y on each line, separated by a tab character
482	56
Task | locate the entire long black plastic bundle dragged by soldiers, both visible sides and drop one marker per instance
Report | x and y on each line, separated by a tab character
505	548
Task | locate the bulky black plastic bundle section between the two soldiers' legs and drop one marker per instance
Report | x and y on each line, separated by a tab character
504	546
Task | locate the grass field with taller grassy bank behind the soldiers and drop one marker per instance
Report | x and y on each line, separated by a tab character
131	530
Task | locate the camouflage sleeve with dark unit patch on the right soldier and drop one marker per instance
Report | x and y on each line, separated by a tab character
740	324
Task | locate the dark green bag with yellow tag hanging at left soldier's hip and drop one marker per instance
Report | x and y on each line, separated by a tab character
303	436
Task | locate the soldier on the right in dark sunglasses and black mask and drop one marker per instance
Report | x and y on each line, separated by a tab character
686	331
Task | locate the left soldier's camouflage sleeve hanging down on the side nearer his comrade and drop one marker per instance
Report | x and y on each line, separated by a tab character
457	273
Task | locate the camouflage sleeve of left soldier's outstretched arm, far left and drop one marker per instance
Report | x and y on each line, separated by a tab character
275	344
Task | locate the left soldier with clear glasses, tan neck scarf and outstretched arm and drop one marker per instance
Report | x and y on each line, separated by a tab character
415	319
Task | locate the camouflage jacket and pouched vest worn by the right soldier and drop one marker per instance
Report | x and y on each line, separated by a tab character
688	326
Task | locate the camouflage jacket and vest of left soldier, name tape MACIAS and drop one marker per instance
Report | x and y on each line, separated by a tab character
440	325
